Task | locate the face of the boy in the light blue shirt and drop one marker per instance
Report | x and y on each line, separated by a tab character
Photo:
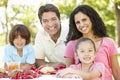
19	42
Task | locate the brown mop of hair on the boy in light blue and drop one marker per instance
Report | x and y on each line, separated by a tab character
19	29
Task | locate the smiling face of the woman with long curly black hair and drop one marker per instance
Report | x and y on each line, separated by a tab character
83	23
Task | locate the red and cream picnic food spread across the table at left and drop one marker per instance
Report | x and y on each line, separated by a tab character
30	74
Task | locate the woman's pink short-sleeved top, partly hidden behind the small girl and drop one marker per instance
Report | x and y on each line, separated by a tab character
103	54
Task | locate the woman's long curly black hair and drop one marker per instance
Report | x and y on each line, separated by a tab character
98	26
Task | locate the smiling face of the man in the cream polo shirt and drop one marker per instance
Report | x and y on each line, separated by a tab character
51	23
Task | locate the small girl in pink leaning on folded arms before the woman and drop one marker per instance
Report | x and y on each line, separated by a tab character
87	69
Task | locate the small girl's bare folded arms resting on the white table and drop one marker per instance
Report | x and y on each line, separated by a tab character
69	72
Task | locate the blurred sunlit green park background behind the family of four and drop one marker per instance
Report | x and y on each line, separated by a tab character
25	11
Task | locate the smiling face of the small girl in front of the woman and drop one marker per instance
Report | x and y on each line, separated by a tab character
86	52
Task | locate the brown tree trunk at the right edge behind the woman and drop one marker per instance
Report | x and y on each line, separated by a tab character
117	14
